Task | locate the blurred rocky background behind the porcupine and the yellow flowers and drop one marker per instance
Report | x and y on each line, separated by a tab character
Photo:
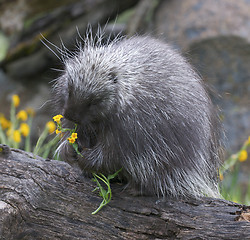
214	35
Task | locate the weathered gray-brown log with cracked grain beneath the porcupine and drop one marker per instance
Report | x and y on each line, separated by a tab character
48	199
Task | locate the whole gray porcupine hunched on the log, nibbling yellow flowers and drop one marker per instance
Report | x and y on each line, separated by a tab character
140	106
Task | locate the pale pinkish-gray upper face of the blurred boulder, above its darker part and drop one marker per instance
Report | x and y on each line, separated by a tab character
187	21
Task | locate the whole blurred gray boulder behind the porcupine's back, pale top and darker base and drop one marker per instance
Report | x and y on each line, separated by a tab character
215	36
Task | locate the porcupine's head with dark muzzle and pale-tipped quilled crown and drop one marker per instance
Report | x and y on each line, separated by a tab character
86	92
